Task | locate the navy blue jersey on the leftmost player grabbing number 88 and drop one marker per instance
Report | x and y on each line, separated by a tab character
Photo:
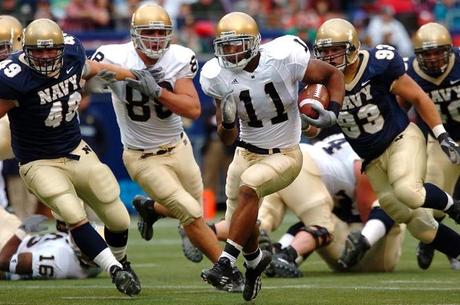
45	123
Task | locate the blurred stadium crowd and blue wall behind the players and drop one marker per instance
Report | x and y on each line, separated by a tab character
98	22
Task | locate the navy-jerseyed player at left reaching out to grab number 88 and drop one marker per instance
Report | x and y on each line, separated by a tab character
40	91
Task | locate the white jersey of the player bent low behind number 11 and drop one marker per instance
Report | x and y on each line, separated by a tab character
335	159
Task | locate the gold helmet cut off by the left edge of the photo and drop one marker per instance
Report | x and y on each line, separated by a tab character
10	35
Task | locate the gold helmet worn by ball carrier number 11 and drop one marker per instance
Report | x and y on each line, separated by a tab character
237	41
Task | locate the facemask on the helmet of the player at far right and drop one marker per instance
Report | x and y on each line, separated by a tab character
433	61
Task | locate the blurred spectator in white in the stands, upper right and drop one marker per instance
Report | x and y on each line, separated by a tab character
385	29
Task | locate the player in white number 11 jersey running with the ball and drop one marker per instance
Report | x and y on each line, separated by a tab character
258	84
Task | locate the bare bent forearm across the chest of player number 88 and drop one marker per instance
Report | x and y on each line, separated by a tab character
181	104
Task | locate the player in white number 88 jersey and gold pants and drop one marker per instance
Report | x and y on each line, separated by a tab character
157	152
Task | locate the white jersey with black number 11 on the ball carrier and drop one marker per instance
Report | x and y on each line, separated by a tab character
267	97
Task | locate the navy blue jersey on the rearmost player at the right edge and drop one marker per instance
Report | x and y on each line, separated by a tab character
444	91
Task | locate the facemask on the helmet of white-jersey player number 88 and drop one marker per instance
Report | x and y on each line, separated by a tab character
152	46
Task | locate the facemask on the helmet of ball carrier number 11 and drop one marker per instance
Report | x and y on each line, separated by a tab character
247	47
